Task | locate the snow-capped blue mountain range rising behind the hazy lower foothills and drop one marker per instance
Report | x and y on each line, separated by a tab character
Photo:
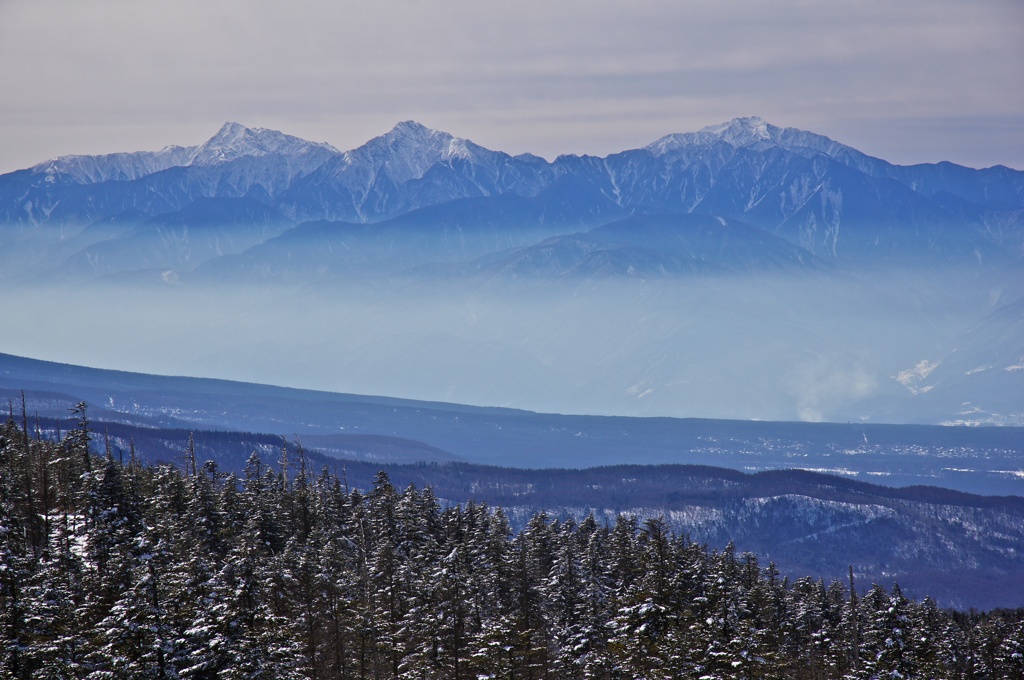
831	200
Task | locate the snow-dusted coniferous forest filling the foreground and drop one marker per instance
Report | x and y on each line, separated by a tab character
111	569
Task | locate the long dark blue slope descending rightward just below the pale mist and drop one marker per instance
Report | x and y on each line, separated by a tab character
982	459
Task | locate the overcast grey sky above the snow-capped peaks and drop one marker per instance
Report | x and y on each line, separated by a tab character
911	81
